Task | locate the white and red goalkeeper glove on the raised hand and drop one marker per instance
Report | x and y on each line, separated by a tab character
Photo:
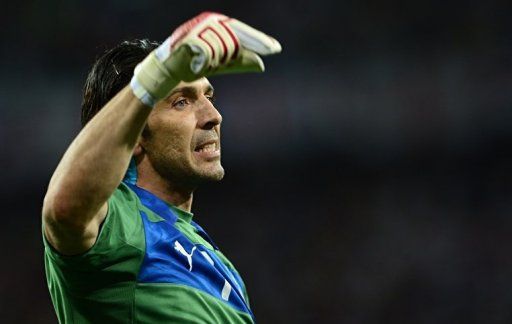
208	44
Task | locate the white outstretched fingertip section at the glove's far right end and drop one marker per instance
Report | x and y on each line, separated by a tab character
254	40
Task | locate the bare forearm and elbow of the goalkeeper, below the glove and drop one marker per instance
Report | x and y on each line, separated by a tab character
90	170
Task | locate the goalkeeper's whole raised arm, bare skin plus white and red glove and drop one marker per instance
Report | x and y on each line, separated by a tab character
94	164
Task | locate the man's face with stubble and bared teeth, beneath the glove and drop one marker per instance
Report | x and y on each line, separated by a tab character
182	137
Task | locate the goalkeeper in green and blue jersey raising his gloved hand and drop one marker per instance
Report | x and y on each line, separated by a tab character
120	242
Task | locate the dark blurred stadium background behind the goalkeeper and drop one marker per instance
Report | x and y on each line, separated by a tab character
368	171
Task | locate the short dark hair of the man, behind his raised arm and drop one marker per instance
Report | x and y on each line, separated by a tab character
111	72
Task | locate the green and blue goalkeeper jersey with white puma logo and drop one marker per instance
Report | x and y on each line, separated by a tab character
150	264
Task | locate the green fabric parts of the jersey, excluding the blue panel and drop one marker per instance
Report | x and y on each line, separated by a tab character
100	285
